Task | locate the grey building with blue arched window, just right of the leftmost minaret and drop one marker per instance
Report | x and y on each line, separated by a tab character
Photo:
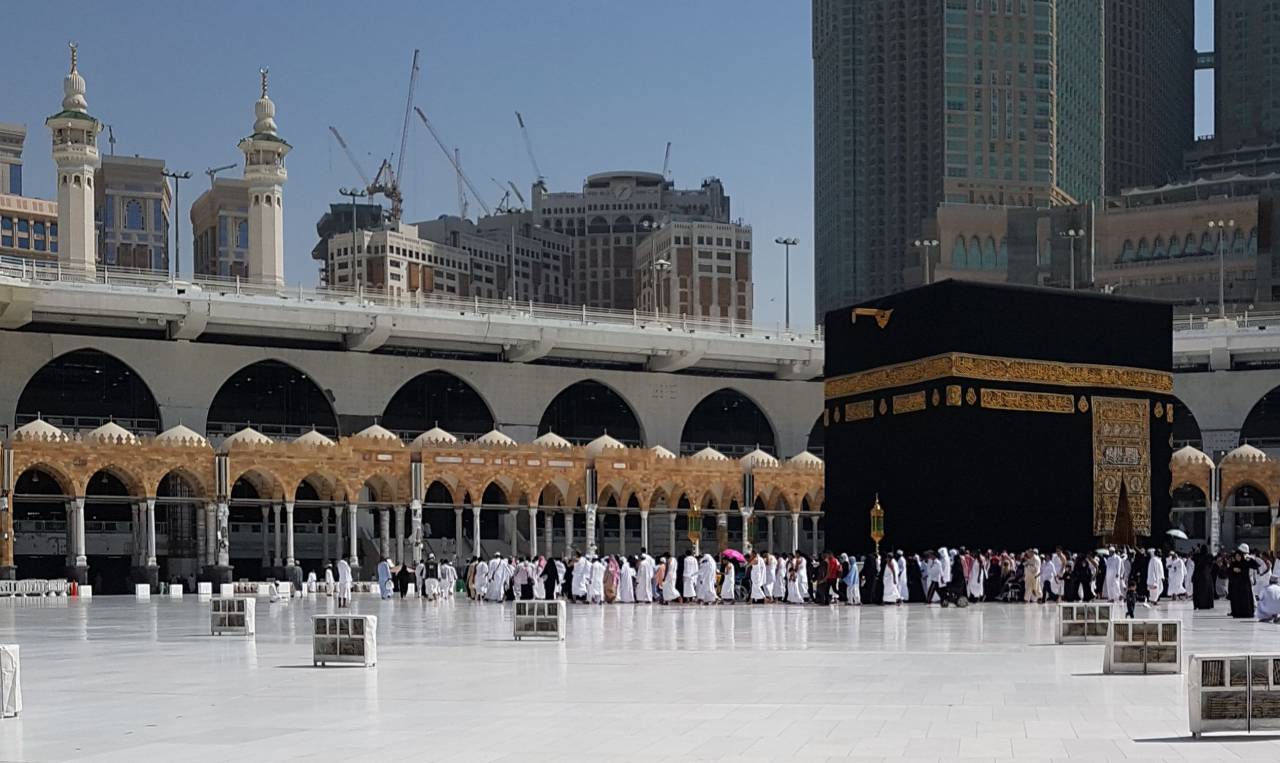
131	200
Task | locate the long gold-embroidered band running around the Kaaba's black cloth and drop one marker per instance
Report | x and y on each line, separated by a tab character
1000	369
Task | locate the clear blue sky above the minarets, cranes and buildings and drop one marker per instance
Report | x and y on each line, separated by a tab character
602	85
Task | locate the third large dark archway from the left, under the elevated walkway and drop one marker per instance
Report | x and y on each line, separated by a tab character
438	399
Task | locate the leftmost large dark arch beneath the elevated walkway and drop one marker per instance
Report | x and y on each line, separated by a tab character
84	390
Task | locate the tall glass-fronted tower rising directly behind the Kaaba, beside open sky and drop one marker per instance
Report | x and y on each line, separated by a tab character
922	104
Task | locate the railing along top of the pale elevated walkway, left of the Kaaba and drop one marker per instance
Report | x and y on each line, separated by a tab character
43	272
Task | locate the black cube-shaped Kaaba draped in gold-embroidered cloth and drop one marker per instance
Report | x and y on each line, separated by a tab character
999	417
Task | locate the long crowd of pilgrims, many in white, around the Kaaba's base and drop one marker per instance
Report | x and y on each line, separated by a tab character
1121	575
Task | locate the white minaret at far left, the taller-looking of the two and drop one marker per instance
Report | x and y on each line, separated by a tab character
76	156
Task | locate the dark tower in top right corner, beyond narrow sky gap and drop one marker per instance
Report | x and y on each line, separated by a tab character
1247	74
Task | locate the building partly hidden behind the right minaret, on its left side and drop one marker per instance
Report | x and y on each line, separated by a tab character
220	230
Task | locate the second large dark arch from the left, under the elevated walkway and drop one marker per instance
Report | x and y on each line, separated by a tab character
275	399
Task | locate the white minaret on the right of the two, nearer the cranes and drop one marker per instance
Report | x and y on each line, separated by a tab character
264	170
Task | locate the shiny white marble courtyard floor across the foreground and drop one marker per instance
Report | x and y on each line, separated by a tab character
121	680
